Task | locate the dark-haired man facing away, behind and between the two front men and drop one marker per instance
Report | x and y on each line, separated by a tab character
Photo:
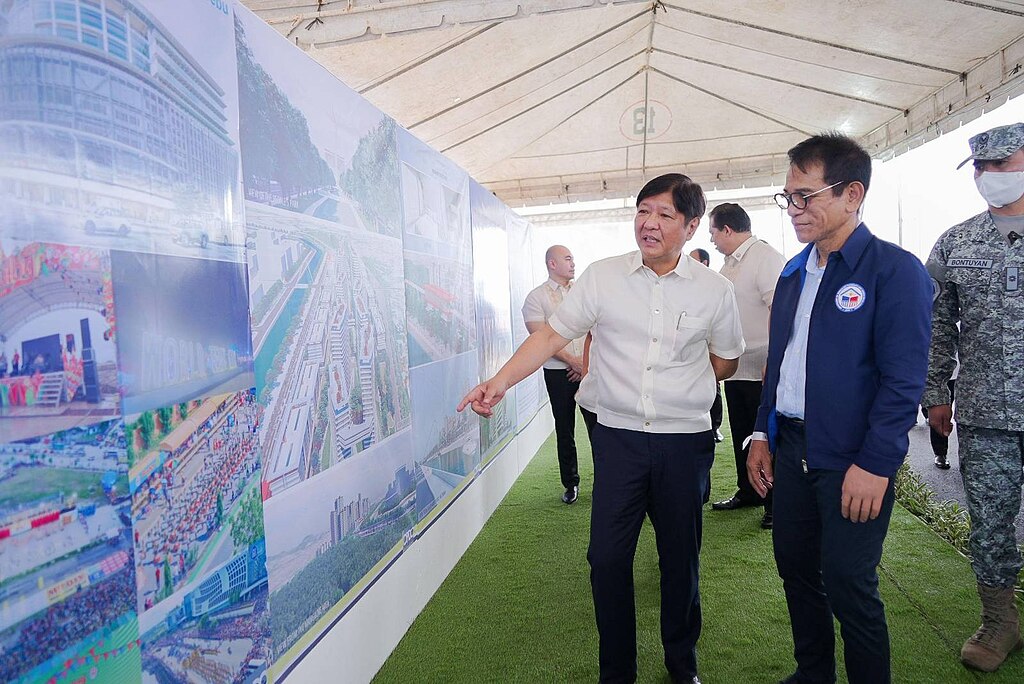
753	267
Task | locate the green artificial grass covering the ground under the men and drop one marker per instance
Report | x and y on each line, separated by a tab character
518	607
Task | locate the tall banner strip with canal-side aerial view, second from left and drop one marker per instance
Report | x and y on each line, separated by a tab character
323	209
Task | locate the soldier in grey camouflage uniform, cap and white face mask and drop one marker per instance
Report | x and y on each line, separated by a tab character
976	269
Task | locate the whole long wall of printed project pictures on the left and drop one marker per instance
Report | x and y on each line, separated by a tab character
238	308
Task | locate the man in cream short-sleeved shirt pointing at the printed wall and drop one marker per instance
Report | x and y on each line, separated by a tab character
665	329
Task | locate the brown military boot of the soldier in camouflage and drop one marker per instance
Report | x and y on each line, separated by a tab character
1000	634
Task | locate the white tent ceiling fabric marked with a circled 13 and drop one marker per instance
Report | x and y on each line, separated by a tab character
556	101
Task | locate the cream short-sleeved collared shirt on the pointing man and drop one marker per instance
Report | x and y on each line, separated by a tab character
654	373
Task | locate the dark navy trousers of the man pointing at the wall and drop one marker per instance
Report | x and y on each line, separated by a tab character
665	477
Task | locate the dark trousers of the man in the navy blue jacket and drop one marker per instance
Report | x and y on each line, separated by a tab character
829	568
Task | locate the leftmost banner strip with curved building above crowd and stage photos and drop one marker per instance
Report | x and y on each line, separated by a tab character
132	516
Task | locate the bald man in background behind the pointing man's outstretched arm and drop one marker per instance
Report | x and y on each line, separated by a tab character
565	370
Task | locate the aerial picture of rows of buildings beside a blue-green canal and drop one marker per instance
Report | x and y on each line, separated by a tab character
330	339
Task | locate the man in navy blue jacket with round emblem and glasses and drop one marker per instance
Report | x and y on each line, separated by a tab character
847	360
